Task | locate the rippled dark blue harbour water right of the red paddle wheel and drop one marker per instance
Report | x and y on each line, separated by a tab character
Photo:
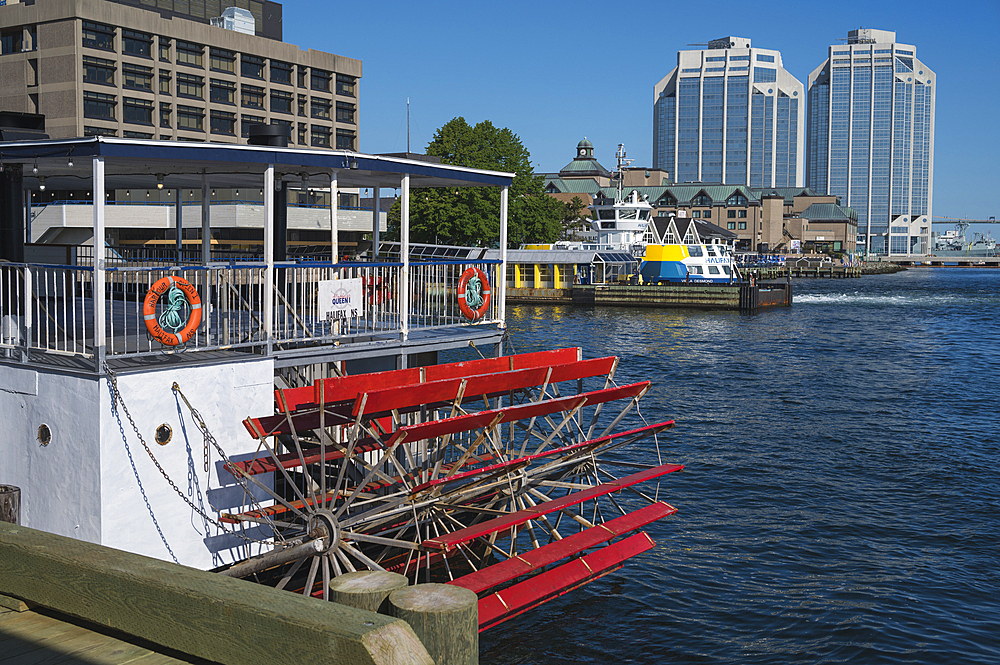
841	499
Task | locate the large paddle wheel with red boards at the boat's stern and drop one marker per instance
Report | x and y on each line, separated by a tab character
493	474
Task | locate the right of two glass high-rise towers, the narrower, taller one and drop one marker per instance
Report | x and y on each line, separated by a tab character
871	138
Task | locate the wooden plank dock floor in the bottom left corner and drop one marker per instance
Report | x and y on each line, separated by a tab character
43	636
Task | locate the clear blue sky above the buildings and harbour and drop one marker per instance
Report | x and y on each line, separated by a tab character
555	72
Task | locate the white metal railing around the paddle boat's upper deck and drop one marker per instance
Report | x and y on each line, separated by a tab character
50	309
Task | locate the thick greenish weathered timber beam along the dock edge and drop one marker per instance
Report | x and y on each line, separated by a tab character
199	613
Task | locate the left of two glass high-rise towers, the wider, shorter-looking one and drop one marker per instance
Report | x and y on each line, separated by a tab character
730	114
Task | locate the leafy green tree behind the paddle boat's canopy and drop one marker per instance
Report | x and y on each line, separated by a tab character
471	215
